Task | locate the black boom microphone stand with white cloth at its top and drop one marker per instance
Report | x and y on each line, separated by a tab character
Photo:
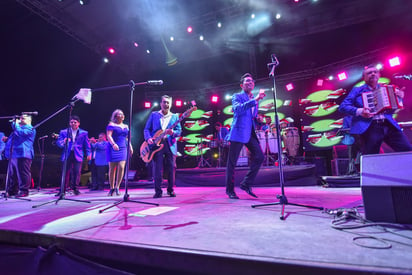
66	156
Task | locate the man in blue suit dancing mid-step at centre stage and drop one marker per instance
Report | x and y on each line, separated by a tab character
245	109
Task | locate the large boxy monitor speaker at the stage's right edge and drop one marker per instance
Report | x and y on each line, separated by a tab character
386	183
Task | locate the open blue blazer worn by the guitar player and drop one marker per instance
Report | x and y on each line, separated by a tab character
153	125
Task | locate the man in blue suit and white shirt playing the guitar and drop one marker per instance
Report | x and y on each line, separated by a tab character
159	122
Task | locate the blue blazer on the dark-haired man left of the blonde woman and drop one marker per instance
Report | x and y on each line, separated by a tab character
81	145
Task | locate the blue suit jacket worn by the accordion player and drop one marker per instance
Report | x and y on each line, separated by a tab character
354	101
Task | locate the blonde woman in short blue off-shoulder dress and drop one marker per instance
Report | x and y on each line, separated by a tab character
117	133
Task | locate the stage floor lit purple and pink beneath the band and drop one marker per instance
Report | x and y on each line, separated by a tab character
202	231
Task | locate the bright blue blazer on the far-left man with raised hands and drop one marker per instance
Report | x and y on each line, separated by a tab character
22	139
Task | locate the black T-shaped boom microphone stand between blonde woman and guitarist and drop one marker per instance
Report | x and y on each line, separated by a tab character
131	85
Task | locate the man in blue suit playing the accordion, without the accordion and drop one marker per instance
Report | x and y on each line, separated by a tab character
372	128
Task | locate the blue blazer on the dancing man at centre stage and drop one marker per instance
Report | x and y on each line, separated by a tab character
243	117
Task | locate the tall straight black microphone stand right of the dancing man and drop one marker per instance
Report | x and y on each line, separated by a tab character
283	201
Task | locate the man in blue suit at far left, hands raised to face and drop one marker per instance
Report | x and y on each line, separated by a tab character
19	150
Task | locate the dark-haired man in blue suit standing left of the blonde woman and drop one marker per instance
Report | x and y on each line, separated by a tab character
77	145
